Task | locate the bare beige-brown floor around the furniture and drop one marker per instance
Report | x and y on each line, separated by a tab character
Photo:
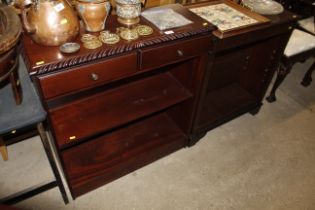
260	162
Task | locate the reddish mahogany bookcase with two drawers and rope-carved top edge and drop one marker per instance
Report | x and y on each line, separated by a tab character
120	107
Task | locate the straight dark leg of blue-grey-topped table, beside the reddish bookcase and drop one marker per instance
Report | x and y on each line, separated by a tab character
52	163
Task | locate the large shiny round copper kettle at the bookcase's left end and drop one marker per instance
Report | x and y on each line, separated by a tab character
50	22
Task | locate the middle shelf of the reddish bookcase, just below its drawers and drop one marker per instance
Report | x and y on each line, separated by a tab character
113	108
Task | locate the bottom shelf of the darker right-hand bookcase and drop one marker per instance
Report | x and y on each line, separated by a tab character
223	103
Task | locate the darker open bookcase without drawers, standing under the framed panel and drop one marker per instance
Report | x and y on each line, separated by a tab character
240	72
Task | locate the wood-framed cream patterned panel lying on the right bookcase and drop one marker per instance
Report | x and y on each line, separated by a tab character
228	16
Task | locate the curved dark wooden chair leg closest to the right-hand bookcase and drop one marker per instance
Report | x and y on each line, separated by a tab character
282	72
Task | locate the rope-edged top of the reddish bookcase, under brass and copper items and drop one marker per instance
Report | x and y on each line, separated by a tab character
43	59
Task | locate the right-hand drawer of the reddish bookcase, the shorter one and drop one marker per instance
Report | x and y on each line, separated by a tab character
167	54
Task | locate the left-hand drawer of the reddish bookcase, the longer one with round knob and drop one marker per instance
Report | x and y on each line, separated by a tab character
88	75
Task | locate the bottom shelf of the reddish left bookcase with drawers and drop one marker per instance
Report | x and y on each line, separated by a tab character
99	161
